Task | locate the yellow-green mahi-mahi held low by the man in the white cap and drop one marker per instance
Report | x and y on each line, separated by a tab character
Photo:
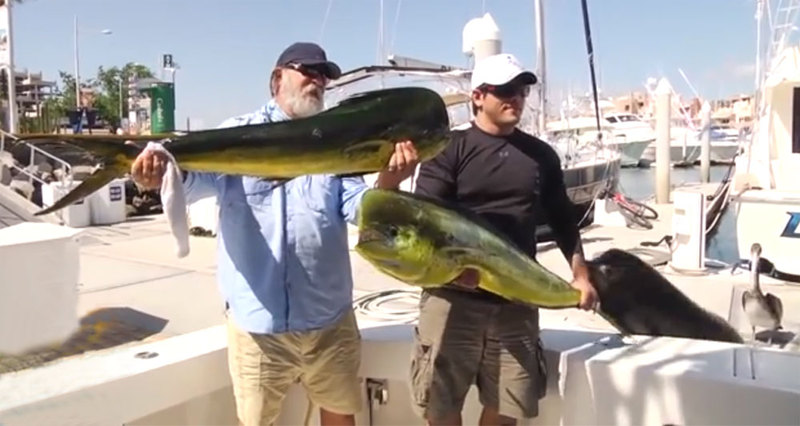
420	242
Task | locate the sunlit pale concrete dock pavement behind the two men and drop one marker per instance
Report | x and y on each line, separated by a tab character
133	288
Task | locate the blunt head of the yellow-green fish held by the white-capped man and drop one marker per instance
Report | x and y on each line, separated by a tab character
391	237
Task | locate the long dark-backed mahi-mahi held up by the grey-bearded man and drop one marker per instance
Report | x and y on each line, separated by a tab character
357	136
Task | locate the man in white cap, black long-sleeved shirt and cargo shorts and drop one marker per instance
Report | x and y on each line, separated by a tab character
466	335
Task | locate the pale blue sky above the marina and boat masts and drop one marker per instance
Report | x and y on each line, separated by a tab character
226	49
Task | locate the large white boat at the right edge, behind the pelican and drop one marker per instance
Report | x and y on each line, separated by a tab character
765	184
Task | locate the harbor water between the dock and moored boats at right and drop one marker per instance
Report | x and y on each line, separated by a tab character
639	184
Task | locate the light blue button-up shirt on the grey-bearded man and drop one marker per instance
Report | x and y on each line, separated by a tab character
283	255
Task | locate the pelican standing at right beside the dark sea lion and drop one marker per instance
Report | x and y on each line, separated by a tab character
763	310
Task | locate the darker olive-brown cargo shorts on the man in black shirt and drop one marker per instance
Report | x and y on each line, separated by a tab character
462	340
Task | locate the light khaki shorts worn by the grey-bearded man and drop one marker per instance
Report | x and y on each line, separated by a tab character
325	362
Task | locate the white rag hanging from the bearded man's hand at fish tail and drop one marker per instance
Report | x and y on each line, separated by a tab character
173	200
